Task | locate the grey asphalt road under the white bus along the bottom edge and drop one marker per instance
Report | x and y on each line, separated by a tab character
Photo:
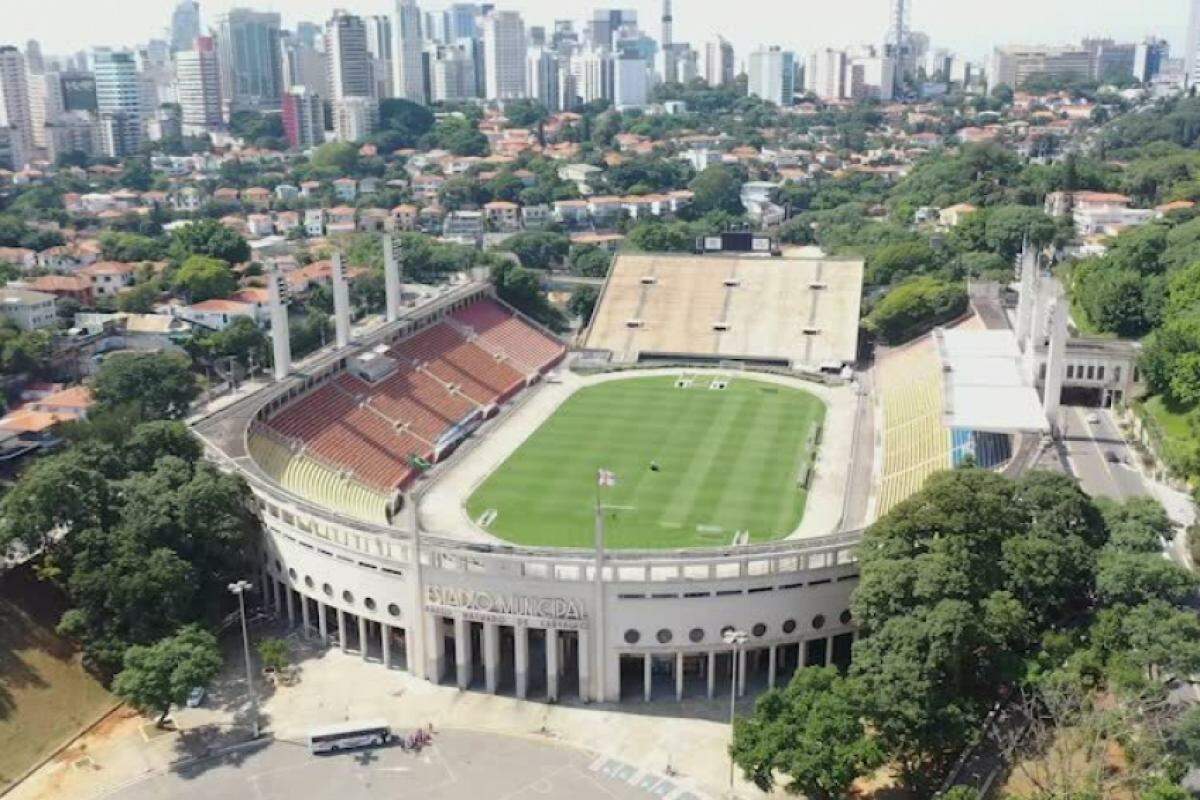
460	766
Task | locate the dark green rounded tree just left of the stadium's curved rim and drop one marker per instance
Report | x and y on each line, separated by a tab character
160	386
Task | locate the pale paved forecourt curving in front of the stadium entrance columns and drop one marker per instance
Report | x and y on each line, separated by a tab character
335	687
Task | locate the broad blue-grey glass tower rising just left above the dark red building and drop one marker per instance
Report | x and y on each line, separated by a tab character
249	55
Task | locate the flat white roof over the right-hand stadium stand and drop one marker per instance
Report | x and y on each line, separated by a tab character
988	388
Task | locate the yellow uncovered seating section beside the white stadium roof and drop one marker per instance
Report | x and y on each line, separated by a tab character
915	442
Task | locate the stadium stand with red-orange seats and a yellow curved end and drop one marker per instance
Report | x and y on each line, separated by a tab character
352	444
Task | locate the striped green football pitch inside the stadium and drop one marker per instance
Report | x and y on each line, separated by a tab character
730	460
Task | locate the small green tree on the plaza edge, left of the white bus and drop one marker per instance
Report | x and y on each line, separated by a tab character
163	675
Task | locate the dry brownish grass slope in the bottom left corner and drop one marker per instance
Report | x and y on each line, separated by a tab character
45	694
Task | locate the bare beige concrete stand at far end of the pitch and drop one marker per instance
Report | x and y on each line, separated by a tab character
801	312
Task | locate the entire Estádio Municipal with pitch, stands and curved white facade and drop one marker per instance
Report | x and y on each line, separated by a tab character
461	495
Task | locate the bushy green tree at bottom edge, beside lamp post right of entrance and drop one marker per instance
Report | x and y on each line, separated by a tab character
812	732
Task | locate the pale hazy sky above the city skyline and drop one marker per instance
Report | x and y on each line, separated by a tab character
968	26
